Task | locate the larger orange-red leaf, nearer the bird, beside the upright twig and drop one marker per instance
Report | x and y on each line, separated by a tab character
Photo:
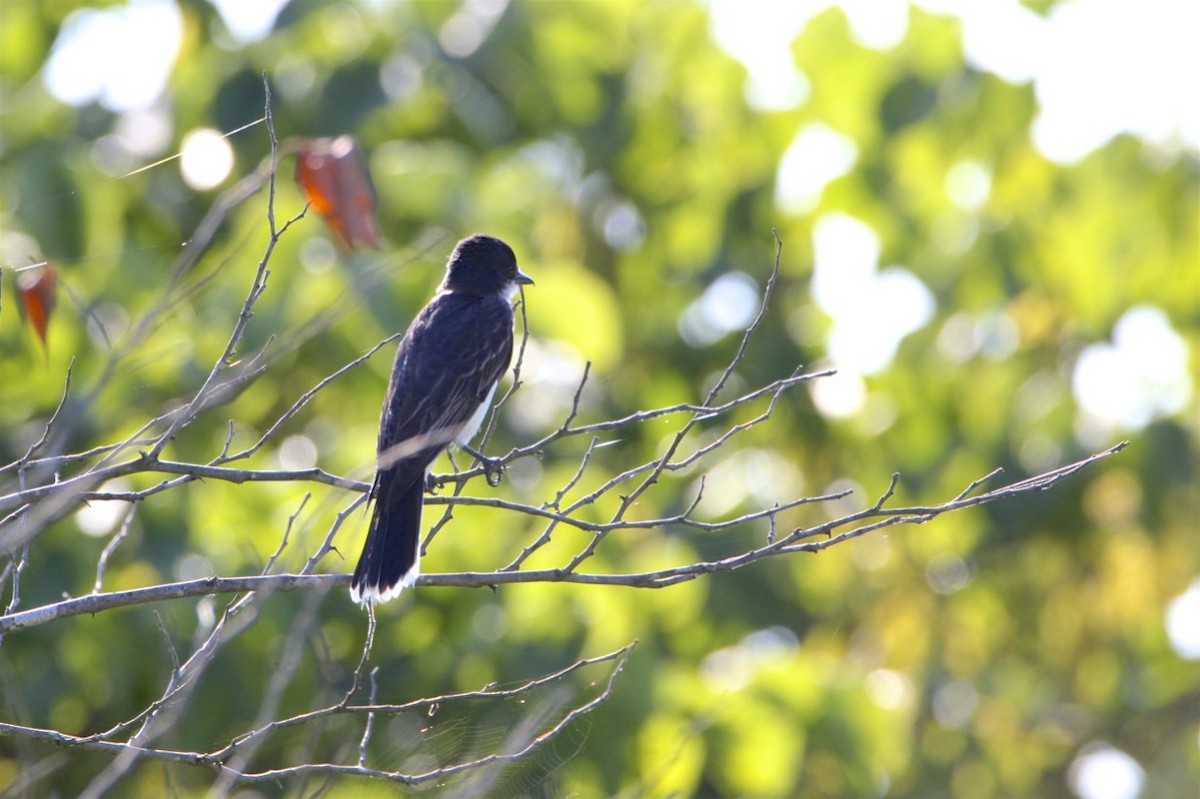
335	181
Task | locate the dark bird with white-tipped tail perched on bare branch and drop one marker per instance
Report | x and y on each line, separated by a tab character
443	380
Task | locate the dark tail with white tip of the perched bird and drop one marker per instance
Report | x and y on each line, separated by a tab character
391	557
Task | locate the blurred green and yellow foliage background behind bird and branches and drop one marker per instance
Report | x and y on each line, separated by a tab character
989	219
